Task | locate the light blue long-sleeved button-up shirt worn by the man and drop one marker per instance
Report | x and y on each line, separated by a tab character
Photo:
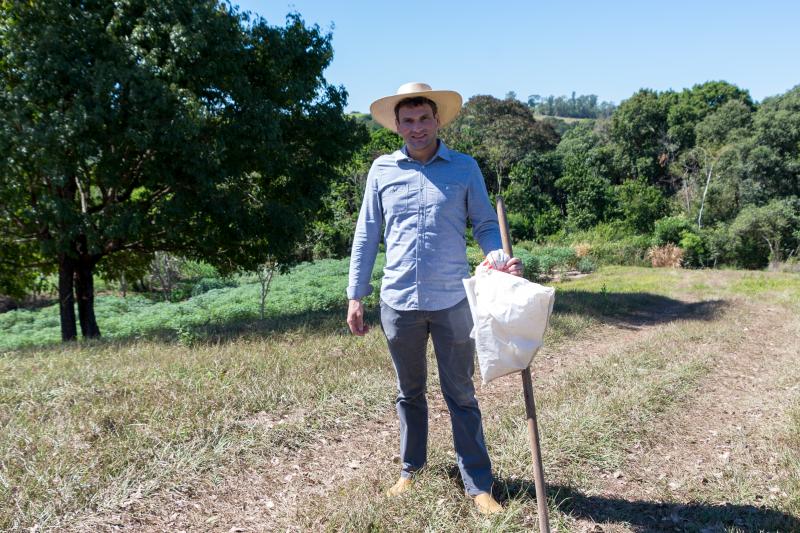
423	208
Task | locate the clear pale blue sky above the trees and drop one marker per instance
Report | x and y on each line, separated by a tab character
609	48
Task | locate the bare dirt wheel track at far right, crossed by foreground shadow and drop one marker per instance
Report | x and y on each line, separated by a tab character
723	444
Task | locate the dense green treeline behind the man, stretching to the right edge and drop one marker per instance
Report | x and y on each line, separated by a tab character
706	170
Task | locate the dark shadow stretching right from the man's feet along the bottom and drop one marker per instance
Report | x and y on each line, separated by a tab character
653	516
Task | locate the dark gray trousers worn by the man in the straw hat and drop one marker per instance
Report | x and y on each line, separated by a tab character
407	335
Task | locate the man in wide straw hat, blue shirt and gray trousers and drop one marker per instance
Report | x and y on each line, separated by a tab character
423	194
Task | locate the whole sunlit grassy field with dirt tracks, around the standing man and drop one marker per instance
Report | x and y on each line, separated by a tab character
668	400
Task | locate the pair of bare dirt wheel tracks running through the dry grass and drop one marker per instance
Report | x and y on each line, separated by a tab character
703	448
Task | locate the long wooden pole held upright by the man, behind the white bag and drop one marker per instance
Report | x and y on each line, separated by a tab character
530	406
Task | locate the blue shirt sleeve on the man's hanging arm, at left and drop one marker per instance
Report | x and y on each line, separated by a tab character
366	239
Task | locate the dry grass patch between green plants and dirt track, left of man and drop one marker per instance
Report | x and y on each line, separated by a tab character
90	428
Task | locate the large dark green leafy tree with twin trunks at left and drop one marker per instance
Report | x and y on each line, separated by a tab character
179	126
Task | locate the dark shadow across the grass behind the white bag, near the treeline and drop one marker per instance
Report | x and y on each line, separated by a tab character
634	309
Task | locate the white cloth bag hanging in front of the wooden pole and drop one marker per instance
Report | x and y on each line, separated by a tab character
510	315
